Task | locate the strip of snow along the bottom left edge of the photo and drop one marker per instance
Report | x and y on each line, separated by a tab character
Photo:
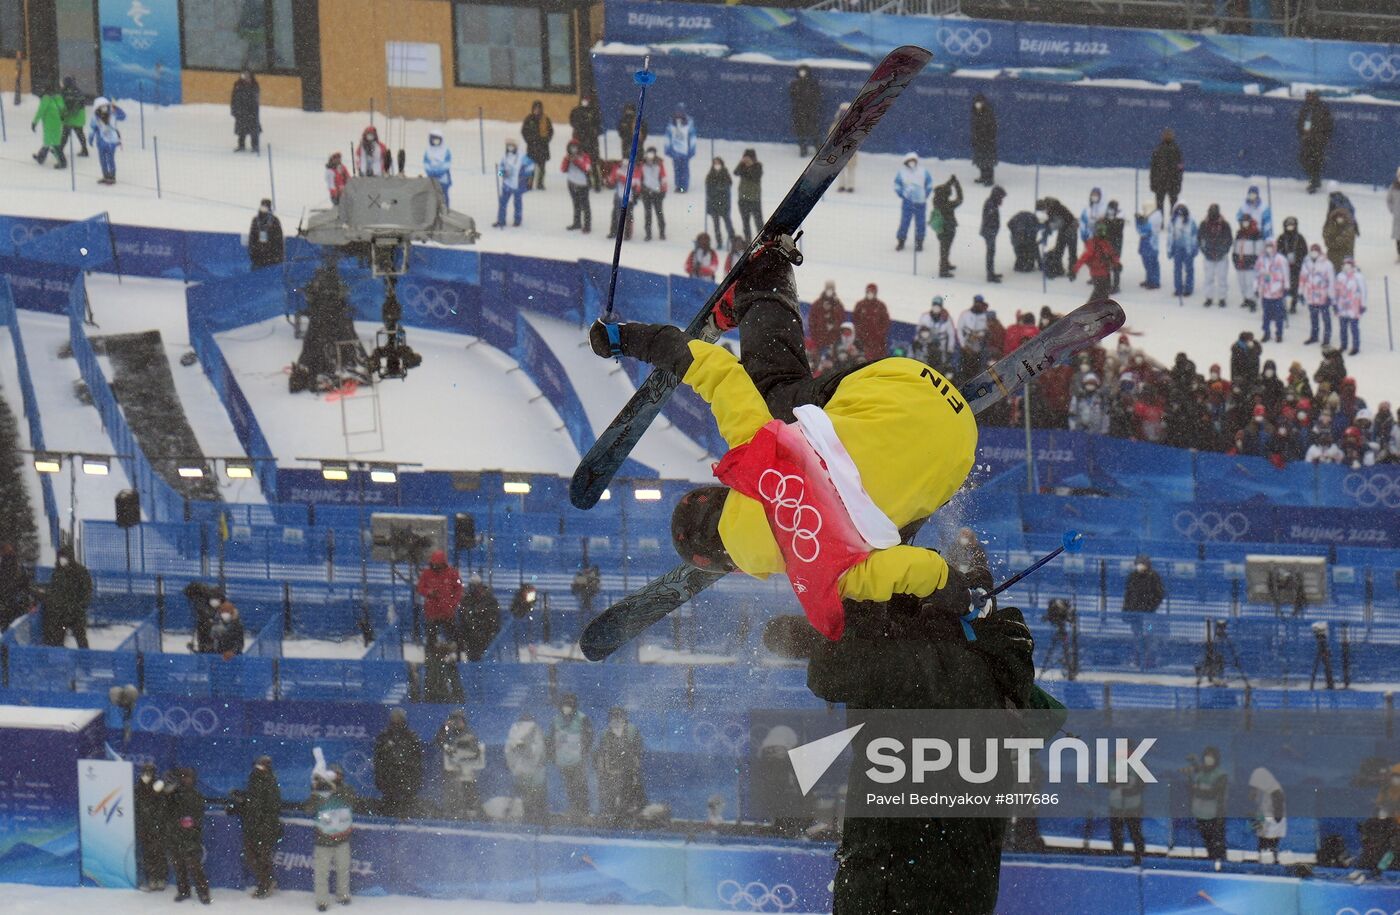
26	900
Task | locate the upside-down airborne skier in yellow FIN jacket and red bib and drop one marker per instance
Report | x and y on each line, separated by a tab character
822	472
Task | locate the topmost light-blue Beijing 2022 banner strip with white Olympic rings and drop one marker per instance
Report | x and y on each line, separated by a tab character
1156	55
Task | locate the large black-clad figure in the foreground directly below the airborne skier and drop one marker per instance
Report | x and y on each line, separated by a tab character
906	654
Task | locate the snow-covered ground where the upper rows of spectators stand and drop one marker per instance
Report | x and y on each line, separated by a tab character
849	237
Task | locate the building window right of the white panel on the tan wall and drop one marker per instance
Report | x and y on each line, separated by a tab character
513	47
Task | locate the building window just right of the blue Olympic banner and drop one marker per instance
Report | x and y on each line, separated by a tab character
237	34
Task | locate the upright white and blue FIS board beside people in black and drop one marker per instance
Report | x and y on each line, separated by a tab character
107	823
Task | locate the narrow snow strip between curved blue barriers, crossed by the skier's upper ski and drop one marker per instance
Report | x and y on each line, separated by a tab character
604	388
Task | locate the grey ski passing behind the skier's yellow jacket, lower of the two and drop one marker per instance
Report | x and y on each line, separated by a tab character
633	615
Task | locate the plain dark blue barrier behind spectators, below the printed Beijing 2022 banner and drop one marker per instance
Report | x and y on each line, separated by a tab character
1039	122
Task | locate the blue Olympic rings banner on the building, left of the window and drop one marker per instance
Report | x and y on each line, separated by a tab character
141	50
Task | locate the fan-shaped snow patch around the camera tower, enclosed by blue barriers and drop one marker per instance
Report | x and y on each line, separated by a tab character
467	406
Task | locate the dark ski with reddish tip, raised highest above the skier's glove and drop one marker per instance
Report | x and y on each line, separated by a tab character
891	78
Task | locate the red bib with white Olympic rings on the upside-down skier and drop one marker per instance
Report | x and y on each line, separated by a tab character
780	471
